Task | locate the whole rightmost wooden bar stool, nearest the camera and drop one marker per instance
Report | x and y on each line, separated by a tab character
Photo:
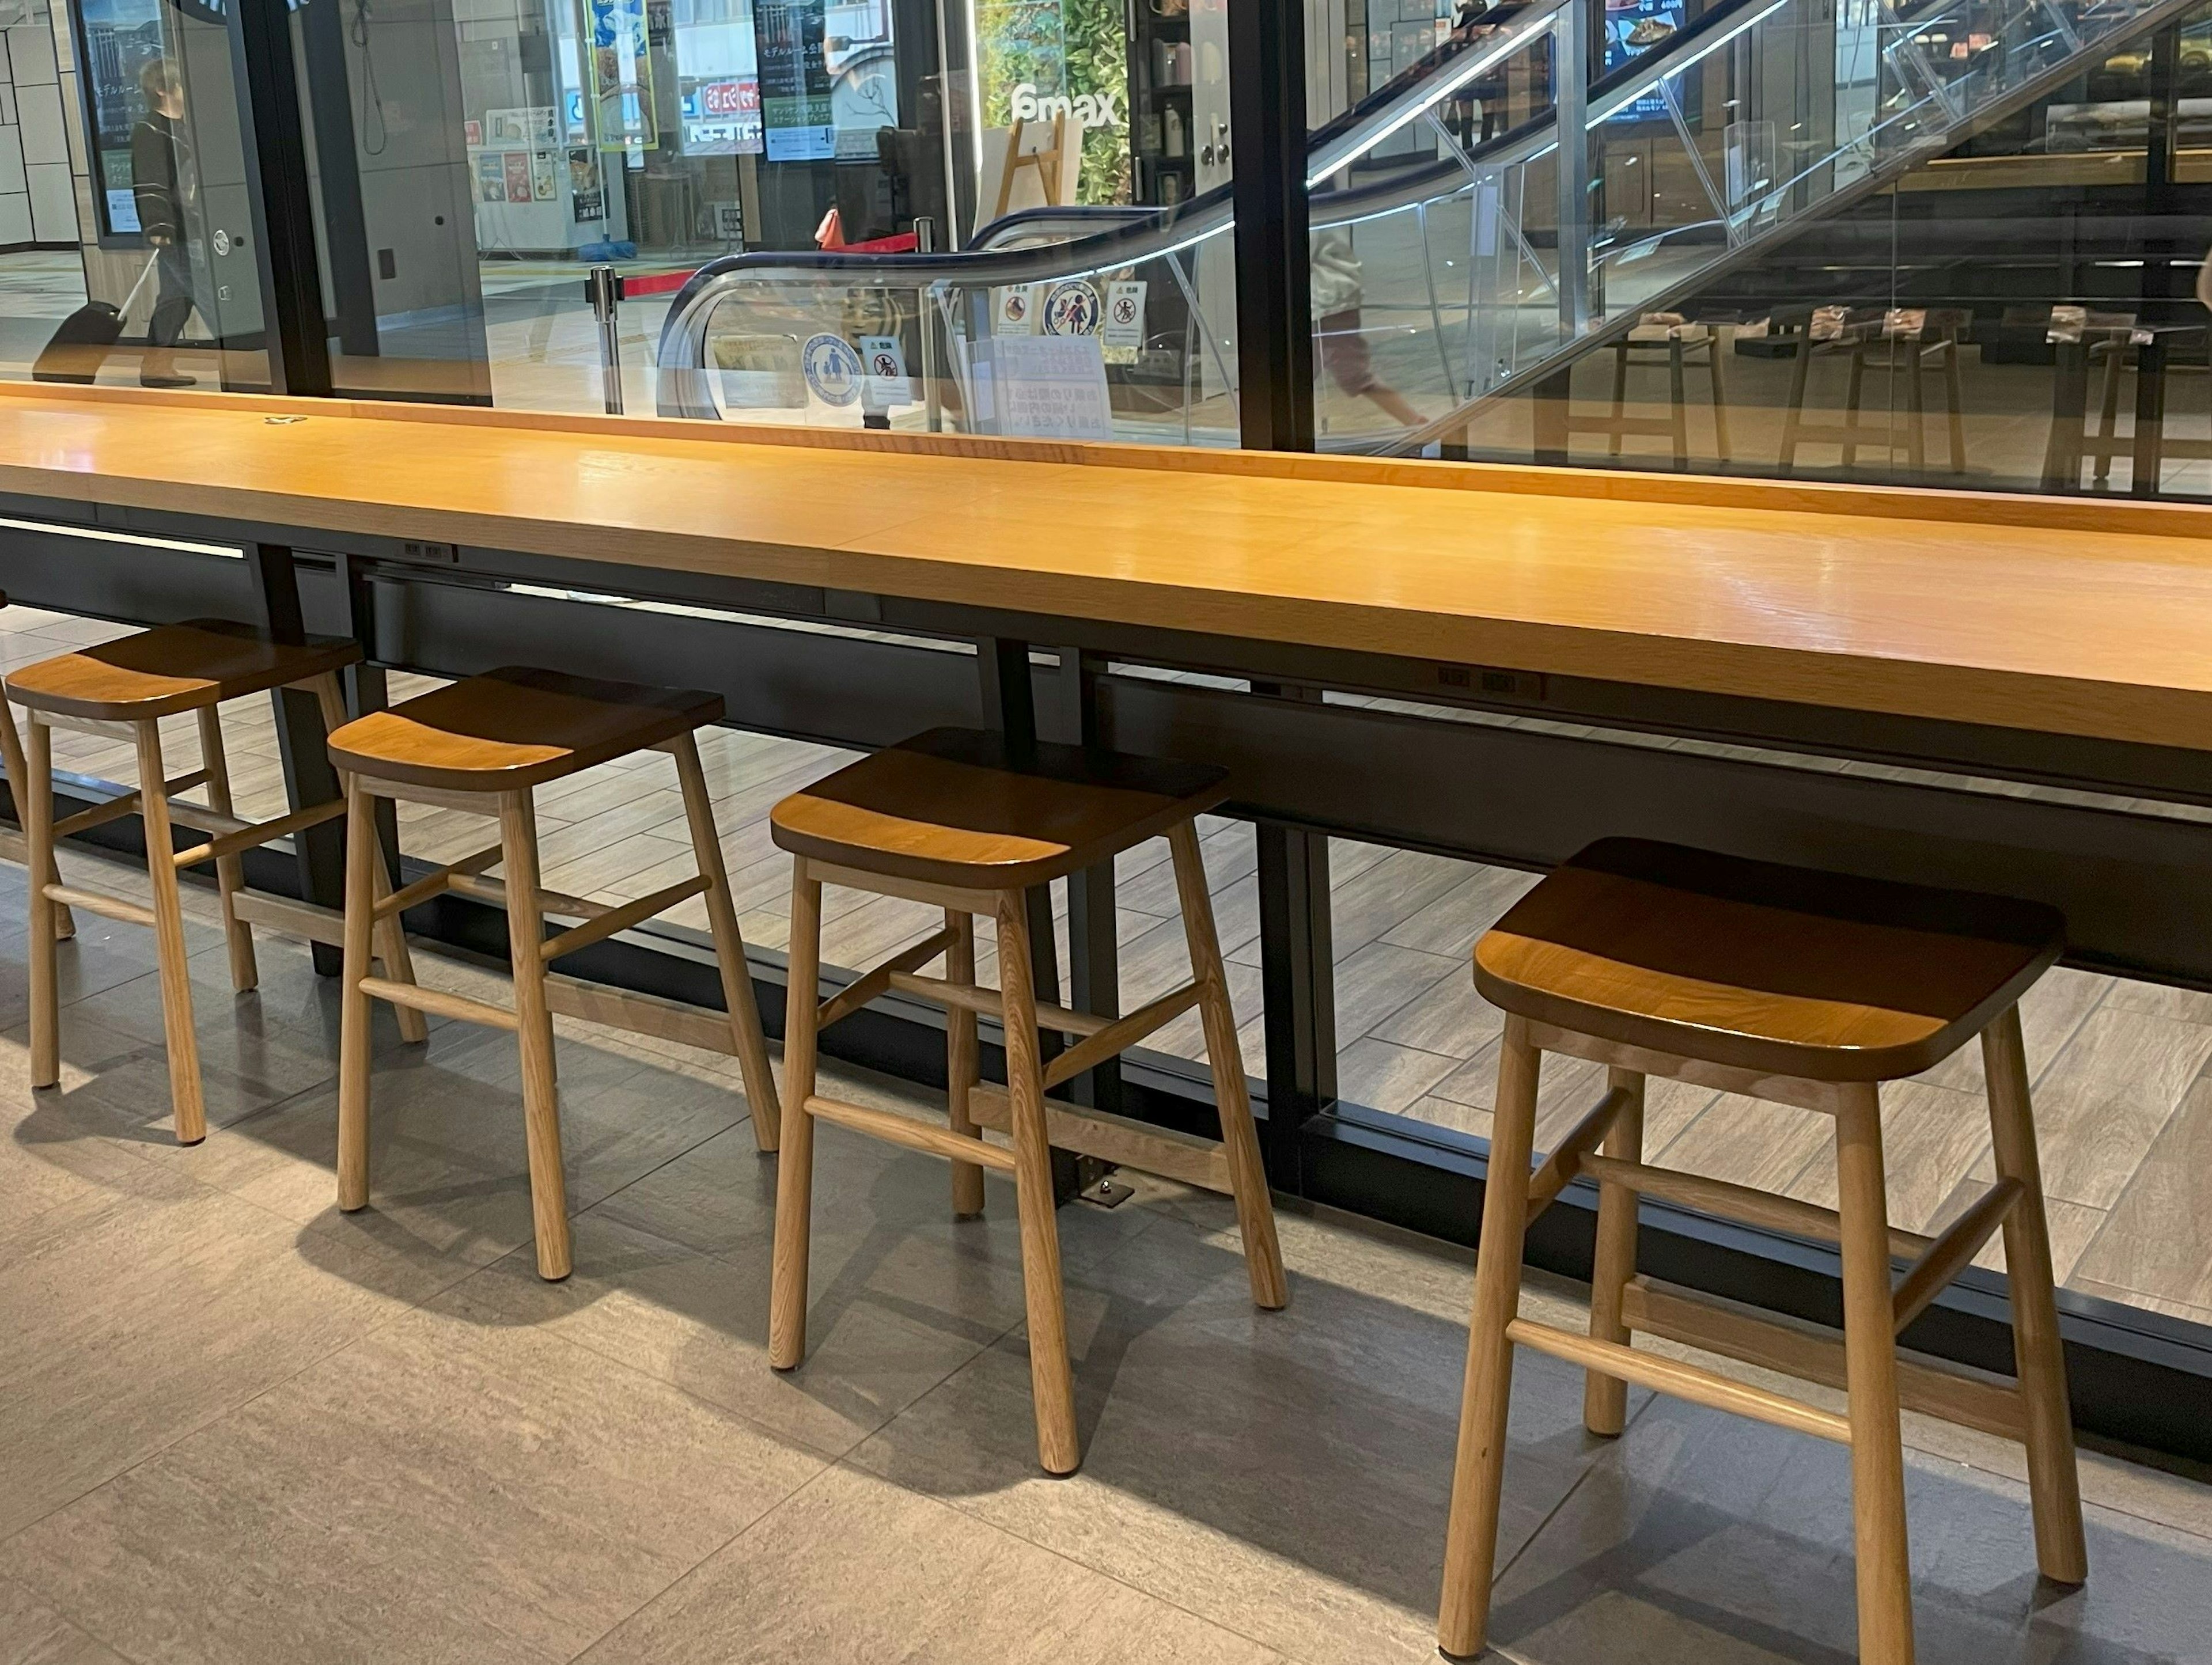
1804	989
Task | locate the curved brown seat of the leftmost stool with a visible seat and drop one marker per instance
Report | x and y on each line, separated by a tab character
174	669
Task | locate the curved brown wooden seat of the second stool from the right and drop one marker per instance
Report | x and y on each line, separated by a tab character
954	808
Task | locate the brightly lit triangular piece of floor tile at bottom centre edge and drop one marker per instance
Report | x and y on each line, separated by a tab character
939	1589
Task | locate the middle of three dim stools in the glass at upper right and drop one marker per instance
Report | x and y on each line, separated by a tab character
1901	342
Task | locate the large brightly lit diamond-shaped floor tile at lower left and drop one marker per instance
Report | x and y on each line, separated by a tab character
448	1489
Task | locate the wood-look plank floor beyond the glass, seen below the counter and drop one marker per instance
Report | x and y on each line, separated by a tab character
2122	1082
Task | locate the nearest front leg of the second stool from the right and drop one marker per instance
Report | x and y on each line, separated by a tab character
1052	1383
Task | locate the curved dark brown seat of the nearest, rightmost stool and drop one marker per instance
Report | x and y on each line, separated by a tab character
1762	967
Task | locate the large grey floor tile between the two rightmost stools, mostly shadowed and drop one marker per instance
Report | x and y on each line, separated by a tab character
1284	1474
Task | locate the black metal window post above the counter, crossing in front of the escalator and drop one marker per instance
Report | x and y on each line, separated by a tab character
1275	302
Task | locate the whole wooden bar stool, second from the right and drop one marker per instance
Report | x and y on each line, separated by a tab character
954	821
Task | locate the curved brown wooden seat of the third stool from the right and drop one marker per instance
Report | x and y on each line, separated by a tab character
517	729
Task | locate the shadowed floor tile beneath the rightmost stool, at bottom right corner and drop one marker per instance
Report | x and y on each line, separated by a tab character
1702	1538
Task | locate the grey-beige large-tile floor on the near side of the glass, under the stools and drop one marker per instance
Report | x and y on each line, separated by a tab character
249	1430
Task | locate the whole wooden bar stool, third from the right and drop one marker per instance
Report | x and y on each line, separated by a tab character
481	746
